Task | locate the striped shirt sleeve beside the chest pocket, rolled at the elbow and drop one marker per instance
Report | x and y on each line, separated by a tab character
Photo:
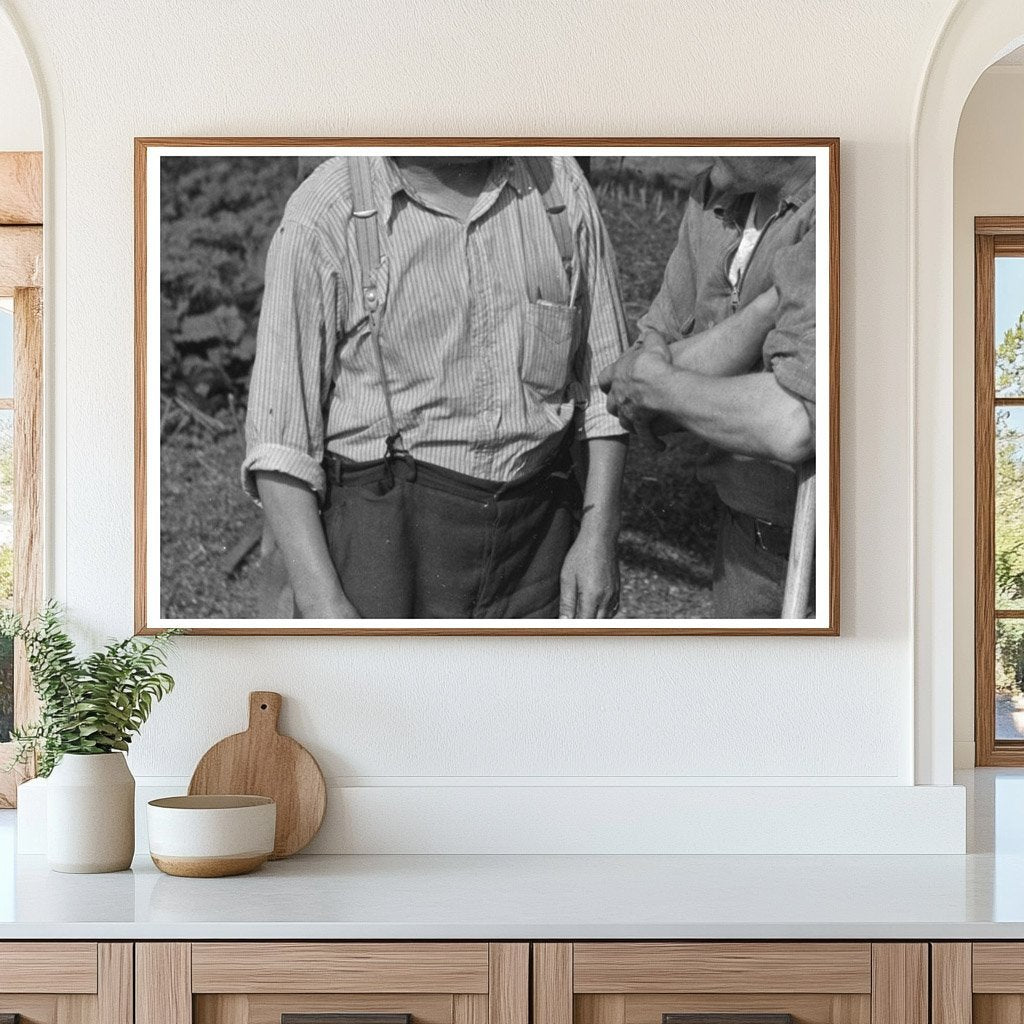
605	335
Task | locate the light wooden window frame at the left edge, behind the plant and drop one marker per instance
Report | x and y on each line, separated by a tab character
22	279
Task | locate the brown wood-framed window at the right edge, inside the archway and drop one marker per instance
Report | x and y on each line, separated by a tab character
1000	490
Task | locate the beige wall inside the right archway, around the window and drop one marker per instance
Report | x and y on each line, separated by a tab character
989	182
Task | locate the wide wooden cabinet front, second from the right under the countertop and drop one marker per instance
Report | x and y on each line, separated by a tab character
731	984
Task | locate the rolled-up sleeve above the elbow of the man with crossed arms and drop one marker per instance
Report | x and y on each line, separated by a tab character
790	348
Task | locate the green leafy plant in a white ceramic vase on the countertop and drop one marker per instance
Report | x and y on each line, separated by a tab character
91	708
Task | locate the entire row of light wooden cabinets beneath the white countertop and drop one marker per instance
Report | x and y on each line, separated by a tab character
513	984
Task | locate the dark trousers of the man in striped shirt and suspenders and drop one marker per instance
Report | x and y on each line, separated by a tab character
426	543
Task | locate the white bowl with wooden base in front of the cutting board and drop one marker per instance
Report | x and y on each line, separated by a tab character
211	837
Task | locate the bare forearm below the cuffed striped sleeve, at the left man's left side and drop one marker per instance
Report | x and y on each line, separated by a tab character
293	516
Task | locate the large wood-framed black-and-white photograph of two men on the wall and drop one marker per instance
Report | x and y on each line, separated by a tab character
482	386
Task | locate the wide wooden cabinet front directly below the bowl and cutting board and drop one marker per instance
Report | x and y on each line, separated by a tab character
333	984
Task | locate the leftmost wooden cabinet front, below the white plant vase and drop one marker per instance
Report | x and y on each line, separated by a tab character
66	984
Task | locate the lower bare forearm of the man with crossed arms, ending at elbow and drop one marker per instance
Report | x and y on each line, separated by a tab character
749	415
